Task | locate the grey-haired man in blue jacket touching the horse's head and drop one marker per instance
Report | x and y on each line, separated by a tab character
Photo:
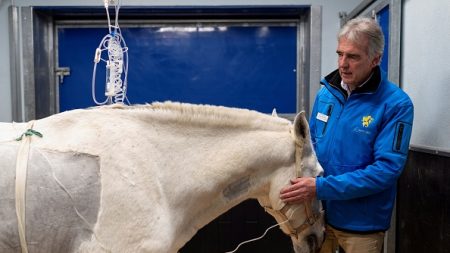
360	126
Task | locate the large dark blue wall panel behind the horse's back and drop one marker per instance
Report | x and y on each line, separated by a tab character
239	66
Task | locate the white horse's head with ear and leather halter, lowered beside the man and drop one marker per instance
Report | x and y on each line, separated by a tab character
304	223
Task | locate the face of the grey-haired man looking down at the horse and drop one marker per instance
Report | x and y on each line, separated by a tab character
355	65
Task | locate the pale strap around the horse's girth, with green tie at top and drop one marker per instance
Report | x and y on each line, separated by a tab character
21	180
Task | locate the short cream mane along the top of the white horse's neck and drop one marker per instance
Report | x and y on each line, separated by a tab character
207	115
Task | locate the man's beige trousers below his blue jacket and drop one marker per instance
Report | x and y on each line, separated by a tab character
351	242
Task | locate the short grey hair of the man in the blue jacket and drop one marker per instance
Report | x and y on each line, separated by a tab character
368	27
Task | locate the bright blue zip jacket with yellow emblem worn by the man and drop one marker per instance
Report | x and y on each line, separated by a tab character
362	142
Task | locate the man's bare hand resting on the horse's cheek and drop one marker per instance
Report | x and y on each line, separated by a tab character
301	189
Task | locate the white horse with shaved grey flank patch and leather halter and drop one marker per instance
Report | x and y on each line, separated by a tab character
147	178
